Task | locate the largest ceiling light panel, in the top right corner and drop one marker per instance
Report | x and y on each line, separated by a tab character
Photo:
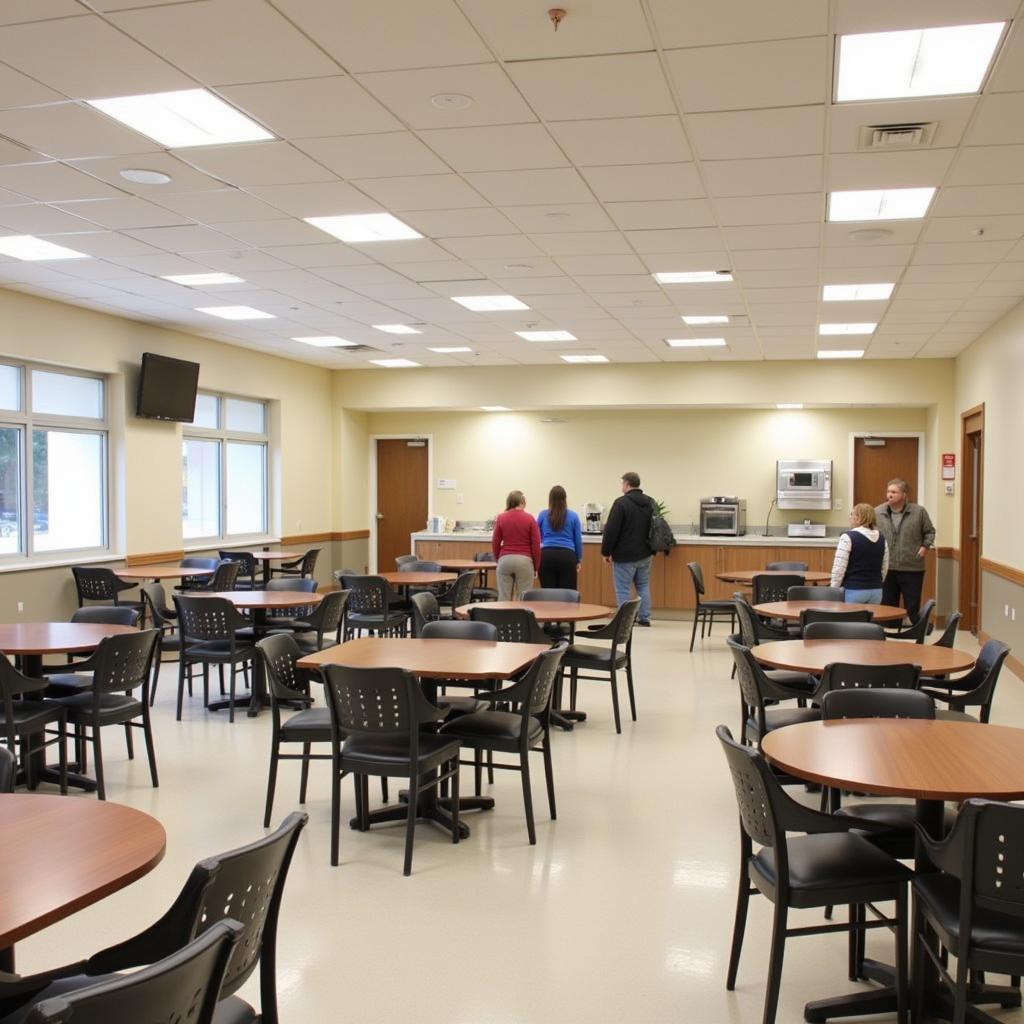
918	63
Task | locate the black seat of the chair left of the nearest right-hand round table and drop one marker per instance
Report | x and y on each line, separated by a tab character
833	868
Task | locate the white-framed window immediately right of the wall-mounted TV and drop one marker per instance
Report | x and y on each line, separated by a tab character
225	470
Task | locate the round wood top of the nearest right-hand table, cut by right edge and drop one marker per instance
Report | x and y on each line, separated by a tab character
927	760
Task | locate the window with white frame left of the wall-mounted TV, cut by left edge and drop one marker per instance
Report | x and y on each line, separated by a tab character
54	461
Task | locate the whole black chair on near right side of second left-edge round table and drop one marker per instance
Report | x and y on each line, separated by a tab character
121	664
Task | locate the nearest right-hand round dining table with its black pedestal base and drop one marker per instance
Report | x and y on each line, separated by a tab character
930	761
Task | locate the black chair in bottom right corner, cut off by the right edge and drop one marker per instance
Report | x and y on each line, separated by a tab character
973	907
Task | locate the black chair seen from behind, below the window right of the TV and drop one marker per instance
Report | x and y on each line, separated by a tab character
210	628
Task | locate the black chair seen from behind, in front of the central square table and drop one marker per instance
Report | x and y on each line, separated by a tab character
376	717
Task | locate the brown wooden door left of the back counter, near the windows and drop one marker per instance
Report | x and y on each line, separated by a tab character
402	497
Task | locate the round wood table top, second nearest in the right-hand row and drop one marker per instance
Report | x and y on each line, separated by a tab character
814	656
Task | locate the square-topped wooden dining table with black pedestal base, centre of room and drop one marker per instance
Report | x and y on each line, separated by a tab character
431	661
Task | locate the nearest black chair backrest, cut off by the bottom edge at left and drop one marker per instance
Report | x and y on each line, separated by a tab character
185	987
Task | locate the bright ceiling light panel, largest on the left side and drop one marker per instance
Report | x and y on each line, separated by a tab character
190	117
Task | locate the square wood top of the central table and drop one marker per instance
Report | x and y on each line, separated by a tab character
432	659
